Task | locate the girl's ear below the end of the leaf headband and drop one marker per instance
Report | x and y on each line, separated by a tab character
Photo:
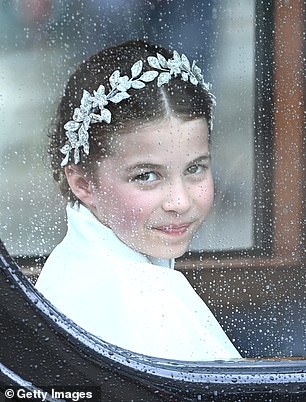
79	184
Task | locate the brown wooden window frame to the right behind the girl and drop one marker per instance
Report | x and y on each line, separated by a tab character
279	230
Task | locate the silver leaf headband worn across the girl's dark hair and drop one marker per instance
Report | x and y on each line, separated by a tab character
87	113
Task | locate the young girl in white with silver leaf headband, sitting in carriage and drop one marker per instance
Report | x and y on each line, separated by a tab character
130	151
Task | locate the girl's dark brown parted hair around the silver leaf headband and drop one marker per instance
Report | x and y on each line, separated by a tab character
178	98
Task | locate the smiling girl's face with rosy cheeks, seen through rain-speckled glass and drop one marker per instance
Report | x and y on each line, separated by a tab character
156	188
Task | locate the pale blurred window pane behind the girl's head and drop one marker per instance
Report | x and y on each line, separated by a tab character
42	44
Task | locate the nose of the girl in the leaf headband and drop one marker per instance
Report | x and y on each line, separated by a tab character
177	198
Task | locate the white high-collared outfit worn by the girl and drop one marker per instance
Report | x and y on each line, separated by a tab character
121	296
